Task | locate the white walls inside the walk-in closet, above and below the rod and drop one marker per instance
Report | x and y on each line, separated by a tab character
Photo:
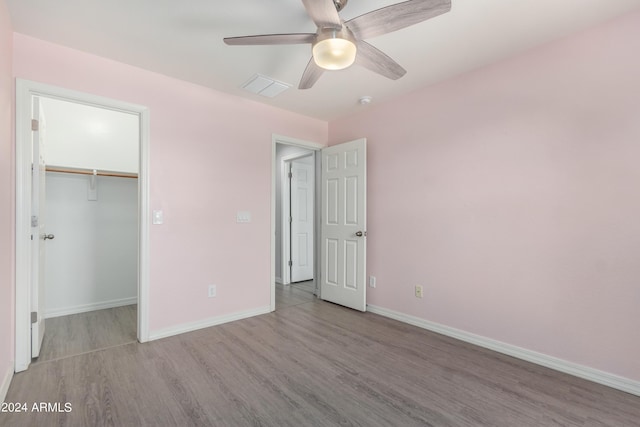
92	262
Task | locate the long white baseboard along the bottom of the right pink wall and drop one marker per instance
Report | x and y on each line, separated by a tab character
597	376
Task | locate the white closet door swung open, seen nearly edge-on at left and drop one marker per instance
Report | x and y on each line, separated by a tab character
38	230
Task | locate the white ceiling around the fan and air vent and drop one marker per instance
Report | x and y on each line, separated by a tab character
183	39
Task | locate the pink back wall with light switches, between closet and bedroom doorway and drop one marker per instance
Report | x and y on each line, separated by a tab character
210	157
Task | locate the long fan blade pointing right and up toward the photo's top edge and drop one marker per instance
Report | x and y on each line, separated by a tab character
396	17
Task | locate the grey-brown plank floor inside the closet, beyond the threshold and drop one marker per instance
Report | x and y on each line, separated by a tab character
84	332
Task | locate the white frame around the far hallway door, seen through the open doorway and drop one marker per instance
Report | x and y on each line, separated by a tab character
286	212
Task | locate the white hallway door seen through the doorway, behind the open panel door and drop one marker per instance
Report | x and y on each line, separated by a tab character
302	190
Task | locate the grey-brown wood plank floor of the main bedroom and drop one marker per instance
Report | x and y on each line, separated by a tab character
311	364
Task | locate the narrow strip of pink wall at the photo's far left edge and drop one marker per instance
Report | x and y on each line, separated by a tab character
6	194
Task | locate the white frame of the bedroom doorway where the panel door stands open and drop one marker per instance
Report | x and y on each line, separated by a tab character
275	170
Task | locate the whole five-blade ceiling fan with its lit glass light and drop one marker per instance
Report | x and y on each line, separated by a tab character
337	44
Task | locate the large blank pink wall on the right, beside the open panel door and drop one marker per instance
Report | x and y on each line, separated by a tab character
512	195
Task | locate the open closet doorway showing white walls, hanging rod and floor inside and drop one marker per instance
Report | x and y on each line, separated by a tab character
91	272
